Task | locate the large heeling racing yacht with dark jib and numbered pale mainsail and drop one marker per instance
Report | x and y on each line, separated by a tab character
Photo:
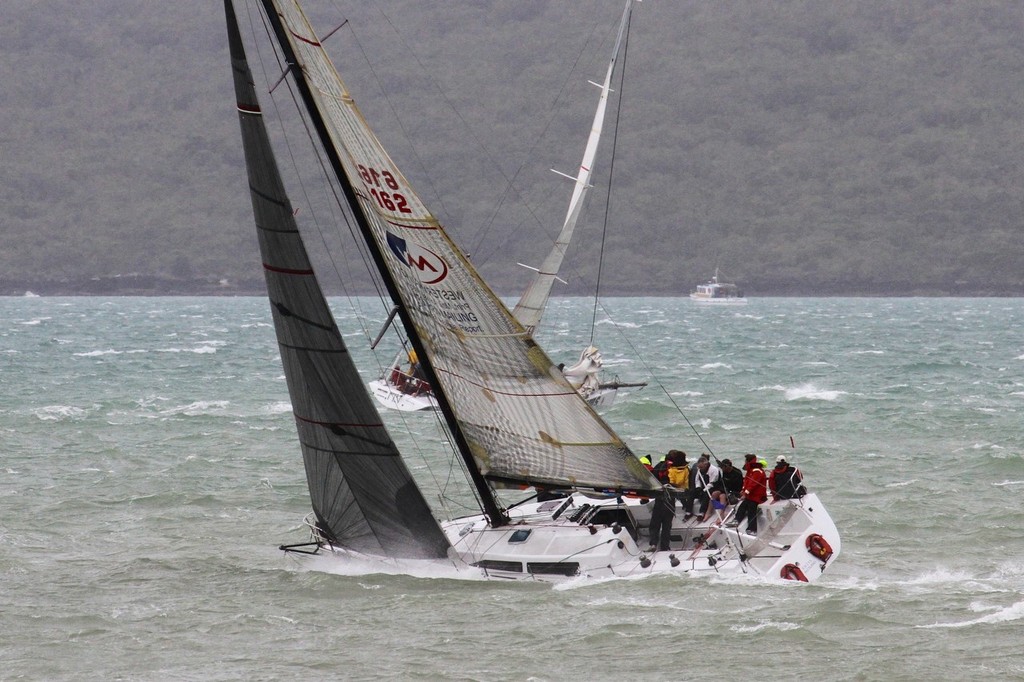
514	418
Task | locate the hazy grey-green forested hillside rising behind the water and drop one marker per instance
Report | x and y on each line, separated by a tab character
805	148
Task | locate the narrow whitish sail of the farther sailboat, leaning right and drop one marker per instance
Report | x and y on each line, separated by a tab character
531	308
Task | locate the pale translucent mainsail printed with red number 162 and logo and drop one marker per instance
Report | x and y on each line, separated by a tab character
516	418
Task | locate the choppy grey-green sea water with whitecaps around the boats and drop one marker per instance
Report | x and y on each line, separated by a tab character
151	471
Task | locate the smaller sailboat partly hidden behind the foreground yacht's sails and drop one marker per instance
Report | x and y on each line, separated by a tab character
401	389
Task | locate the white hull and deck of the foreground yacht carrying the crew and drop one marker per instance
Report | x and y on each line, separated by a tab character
602	538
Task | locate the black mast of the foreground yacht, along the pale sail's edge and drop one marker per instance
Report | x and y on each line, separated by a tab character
492	509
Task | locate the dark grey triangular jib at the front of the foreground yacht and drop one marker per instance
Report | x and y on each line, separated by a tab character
363	494
